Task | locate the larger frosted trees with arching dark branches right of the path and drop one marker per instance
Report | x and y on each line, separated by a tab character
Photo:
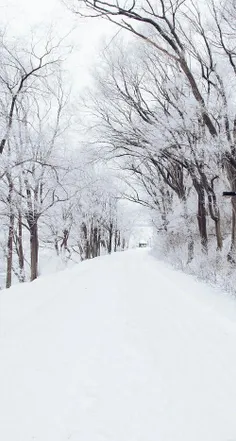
166	109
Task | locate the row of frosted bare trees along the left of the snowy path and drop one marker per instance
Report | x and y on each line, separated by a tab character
50	195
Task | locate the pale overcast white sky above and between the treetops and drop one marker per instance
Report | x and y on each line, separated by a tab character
21	16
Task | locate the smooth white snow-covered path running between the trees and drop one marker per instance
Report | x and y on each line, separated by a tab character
120	348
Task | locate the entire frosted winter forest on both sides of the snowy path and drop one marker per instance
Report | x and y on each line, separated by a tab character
155	128
